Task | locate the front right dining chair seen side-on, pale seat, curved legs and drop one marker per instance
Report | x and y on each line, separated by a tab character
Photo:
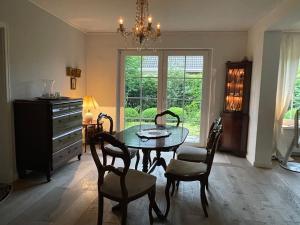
179	170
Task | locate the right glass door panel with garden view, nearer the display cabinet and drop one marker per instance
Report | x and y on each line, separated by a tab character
183	85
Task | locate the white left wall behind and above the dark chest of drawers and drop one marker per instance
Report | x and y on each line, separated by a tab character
40	46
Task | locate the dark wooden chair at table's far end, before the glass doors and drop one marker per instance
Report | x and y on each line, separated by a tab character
158	160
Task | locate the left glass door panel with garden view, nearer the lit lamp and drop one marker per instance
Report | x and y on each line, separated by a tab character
141	81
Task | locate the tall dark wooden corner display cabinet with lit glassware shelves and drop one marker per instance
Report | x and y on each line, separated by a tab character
236	107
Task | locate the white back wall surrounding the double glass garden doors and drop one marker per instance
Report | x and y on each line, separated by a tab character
102	60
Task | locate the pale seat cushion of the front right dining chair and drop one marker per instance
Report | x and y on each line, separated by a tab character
185	169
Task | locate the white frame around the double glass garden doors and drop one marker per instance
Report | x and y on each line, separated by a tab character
207	85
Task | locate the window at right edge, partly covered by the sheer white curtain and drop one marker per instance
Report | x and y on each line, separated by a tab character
295	102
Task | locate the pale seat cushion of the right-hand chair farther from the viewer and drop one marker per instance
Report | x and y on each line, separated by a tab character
192	154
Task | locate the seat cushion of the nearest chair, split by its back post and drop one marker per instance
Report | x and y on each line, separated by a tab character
136	183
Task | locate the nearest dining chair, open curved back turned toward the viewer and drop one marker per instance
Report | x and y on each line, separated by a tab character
120	184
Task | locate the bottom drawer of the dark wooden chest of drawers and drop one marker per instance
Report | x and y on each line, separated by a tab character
67	153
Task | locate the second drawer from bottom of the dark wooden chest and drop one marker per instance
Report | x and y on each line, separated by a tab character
67	139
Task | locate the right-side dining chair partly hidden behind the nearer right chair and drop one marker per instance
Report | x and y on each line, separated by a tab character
196	154
